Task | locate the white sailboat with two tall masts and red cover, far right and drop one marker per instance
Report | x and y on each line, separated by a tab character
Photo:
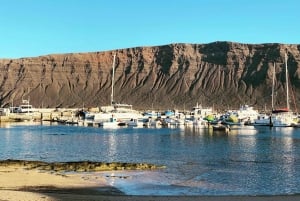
282	117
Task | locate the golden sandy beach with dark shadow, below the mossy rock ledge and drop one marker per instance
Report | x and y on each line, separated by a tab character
18	183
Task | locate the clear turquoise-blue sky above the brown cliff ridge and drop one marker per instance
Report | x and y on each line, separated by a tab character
40	27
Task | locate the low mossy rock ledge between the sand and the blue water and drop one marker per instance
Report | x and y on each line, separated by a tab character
80	166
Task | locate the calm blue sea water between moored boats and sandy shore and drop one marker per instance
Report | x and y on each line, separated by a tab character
248	161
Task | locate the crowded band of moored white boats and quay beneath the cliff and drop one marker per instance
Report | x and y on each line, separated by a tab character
122	115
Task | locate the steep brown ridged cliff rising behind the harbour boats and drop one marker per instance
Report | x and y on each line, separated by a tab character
220	74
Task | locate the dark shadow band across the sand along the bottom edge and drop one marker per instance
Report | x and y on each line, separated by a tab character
113	194
